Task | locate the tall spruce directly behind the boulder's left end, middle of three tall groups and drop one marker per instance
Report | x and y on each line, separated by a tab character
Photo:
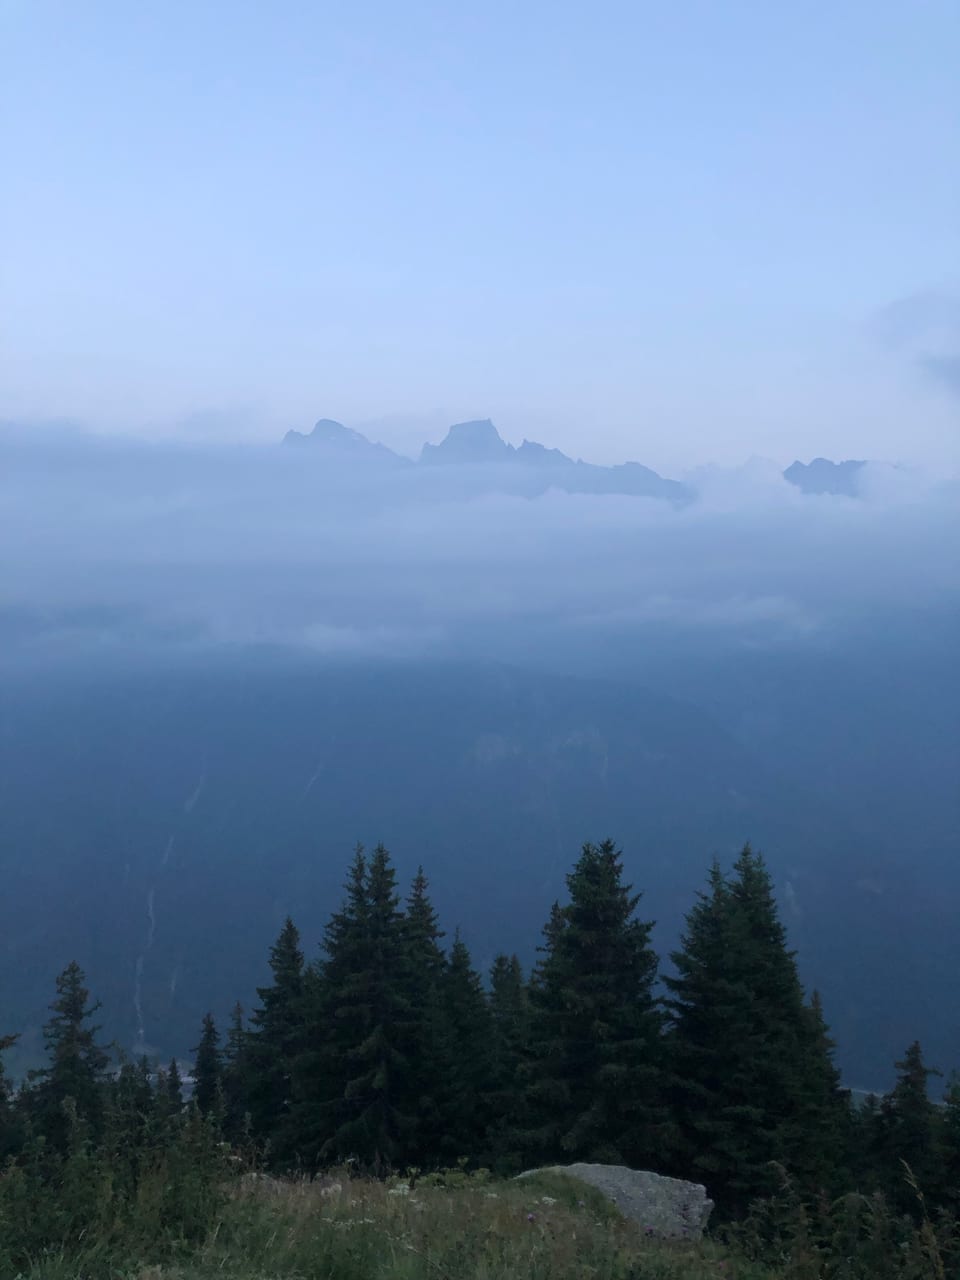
597	1027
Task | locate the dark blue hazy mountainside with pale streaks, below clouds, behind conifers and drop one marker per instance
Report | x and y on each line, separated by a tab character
158	826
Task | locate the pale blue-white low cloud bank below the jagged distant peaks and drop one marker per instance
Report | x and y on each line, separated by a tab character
127	546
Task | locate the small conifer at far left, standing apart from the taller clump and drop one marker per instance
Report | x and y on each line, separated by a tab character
76	1071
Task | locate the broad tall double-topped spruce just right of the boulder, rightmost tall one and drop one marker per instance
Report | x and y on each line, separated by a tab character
751	1067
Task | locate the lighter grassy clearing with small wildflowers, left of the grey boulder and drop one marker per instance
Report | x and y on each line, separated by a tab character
461	1228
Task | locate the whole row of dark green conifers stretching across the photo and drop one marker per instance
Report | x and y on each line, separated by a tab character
390	1050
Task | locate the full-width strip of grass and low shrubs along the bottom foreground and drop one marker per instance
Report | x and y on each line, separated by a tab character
469	1227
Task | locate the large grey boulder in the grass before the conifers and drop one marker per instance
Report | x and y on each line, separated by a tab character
664	1206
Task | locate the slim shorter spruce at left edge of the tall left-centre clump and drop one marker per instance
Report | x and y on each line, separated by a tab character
275	1044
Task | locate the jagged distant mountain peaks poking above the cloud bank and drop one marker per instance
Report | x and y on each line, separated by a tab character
532	469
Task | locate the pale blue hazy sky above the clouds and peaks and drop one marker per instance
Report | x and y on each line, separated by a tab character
674	232
